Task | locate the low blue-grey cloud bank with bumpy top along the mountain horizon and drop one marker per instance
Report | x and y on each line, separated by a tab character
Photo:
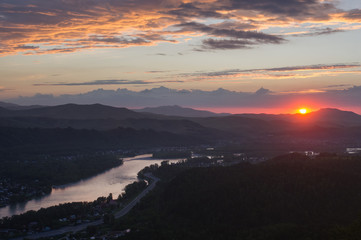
159	96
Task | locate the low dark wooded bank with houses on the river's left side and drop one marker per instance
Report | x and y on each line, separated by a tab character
23	180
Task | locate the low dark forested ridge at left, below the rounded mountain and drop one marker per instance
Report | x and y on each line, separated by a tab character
42	140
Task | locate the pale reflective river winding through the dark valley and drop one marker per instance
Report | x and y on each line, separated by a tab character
112	181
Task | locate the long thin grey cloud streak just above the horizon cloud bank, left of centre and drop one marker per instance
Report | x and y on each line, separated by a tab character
107	82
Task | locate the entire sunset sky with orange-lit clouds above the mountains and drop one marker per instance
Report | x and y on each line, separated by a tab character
221	55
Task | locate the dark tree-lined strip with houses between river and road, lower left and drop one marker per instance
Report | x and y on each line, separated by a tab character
69	214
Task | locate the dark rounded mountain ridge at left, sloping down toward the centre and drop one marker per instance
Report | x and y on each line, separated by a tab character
98	117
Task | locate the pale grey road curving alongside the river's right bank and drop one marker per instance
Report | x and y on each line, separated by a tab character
83	226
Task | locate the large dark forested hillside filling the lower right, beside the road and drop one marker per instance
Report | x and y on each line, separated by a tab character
289	197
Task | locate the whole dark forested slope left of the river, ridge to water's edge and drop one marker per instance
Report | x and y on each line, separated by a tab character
37	158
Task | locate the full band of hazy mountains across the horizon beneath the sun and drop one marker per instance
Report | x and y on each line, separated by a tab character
327	128
